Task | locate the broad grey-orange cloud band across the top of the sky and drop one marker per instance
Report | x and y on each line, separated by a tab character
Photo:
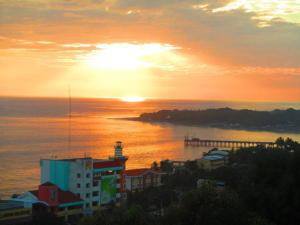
218	32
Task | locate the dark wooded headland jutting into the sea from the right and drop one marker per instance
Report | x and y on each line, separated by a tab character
276	120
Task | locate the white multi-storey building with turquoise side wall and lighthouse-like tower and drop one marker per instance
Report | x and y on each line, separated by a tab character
96	181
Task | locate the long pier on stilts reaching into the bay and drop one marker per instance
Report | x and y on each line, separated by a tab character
197	142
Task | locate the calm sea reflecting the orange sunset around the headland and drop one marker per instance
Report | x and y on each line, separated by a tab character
31	129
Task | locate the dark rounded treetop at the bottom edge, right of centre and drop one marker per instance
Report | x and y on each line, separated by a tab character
207	206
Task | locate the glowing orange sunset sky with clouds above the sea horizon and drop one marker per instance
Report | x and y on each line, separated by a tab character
210	49
